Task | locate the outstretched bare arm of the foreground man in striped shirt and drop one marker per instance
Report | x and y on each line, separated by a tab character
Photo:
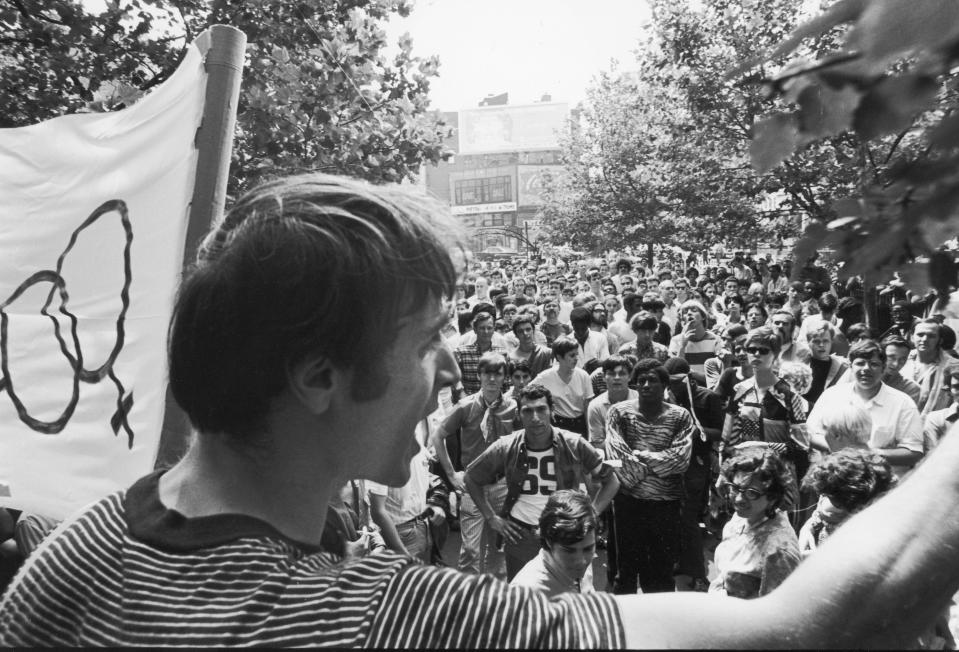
881	578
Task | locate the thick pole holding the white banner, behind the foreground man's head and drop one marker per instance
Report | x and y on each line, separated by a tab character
214	142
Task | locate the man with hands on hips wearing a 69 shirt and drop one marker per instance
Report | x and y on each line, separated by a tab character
535	462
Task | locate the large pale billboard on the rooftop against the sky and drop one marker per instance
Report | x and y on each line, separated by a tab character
511	128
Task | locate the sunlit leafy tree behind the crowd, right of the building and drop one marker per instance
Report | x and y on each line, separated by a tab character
680	134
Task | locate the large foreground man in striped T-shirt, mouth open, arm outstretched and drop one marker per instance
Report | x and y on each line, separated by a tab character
294	387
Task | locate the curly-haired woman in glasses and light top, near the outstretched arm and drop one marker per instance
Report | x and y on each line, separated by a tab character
759	548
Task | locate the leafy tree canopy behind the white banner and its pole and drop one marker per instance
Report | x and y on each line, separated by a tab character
319	92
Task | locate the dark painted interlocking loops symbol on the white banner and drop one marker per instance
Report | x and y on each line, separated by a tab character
69	339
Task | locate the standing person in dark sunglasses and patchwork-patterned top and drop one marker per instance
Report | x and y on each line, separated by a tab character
765	409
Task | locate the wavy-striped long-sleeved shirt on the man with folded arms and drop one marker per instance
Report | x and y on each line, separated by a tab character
664	445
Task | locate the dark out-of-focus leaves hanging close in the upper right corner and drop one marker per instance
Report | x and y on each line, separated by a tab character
890	84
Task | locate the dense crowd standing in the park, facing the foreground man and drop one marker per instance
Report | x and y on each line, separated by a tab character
718	396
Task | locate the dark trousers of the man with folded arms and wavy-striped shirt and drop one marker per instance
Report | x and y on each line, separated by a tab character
647	544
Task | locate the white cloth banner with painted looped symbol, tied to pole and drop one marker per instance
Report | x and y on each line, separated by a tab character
93	221
